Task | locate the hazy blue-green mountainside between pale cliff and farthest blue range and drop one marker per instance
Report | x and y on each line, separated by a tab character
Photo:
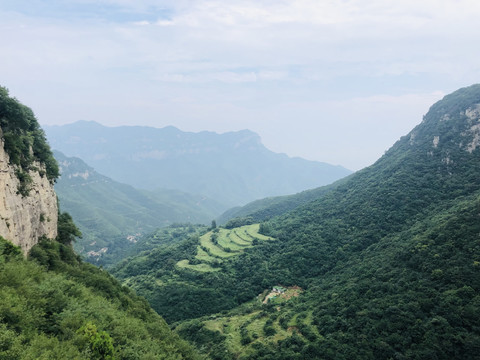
108	212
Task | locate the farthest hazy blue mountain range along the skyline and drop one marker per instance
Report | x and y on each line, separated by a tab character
232	168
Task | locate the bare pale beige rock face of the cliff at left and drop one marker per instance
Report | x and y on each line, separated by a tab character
23	220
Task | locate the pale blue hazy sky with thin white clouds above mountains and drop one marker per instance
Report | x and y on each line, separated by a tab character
335	81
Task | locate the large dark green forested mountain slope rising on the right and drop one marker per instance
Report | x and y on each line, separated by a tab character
389	260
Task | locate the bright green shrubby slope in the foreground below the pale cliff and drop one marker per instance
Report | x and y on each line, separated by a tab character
54	306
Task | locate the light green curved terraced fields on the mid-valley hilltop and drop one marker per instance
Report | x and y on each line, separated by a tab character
220	244
